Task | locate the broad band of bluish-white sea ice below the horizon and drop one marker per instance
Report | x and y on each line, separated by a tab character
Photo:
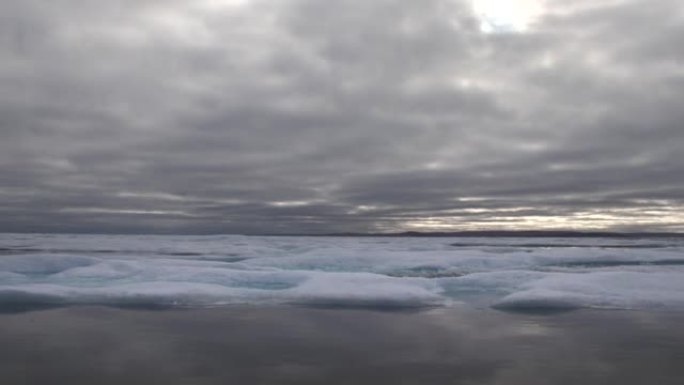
517	274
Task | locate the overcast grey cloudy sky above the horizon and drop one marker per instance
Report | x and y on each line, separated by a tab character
314	116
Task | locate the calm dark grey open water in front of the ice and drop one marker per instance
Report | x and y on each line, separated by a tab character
295	345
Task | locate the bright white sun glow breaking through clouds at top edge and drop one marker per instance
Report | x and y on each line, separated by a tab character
506	16
